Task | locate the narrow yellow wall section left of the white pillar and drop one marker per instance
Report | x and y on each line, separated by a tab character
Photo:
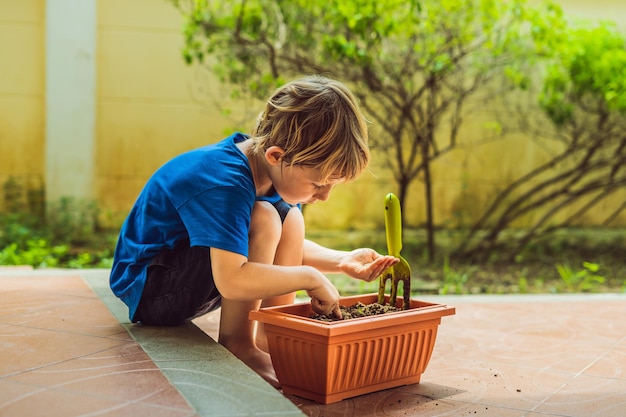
22	93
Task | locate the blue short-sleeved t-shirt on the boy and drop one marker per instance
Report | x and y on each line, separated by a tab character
204	196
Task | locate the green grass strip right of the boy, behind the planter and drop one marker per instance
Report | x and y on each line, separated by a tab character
560	264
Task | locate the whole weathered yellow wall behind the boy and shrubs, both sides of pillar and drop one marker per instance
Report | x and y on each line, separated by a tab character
151	106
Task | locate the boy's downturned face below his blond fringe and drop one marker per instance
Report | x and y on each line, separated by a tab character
299	184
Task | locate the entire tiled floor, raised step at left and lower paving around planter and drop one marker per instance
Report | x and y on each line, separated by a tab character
66	349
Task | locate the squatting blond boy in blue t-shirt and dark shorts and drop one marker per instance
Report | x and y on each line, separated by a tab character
221	225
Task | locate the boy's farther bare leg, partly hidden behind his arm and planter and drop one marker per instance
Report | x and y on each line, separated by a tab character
289	252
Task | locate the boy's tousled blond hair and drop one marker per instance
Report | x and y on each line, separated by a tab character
318	123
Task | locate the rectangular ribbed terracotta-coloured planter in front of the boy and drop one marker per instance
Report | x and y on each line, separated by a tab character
329	361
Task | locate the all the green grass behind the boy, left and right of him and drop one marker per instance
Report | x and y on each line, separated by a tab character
573	260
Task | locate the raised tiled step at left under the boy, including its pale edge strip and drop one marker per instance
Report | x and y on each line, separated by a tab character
67	349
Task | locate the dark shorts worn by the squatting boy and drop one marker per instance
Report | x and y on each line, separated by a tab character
180	284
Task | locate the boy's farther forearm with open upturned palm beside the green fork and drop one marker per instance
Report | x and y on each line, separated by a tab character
364	263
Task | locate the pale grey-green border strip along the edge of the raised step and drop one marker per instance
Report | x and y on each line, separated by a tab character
211	379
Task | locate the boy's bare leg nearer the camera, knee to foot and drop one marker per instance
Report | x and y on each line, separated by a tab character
237	332
